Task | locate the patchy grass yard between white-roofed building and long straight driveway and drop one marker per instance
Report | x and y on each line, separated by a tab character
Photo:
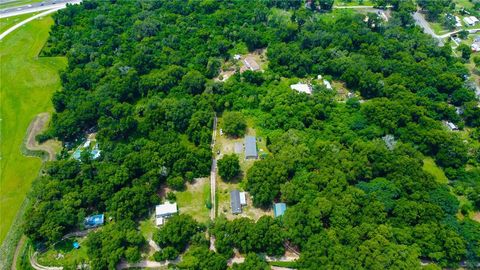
193	199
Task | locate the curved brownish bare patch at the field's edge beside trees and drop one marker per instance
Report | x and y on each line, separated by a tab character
37	126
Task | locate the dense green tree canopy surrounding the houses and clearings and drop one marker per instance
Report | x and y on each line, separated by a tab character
141	75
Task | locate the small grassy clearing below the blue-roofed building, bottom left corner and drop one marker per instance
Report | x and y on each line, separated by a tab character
63	254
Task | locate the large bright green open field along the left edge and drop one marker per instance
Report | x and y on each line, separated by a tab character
26	86
